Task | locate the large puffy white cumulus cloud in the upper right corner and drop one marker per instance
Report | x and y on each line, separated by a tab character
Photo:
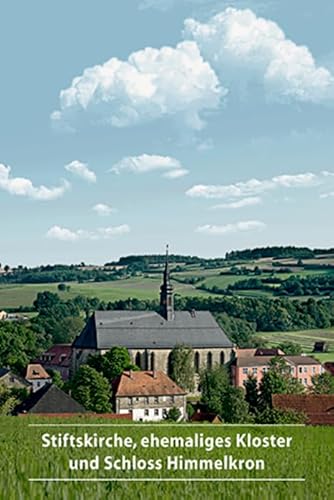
243	47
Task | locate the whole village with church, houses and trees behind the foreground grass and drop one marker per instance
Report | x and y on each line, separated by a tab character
162	363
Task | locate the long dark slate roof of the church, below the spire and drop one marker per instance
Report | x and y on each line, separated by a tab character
150	330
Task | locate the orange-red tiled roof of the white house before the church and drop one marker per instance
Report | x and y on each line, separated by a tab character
146	383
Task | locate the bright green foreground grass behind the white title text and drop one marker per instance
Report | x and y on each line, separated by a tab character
22	457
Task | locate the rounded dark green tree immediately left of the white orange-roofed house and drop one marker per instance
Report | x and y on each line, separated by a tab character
91	389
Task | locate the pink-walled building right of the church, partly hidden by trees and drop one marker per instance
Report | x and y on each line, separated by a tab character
301	367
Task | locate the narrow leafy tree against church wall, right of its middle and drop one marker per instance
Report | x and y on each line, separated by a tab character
182	367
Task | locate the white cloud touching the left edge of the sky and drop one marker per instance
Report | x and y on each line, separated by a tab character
21	186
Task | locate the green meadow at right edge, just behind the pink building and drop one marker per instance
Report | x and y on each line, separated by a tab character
305	338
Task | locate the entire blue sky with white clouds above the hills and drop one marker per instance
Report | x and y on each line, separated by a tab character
127	125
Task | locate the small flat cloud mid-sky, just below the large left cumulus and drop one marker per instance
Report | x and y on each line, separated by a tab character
148	163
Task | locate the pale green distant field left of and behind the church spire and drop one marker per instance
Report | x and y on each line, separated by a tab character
140	288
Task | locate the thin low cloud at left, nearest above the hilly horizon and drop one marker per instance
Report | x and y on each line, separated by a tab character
64	234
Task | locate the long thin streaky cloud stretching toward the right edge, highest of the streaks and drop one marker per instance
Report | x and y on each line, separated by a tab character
253	187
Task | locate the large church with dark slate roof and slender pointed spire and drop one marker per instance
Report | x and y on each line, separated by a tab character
150	336
